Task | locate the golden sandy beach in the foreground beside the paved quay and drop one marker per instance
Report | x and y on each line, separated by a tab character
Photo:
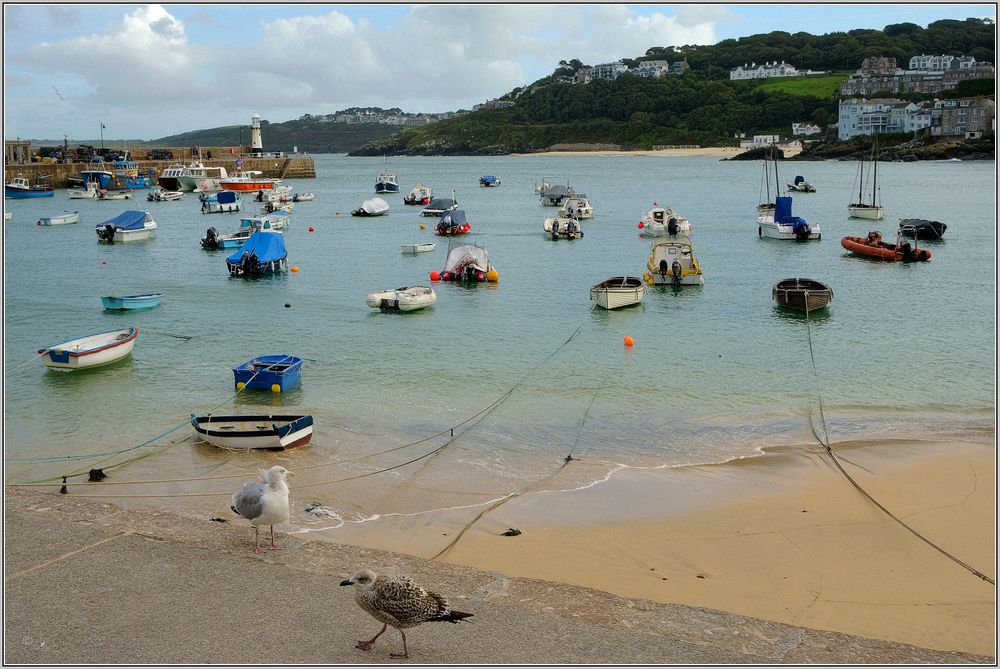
783	537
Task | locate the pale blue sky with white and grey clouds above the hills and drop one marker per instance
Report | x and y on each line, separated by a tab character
148	71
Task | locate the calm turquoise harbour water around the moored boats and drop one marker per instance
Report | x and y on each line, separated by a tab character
717	372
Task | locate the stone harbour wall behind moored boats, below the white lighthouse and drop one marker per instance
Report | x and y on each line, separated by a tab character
292	167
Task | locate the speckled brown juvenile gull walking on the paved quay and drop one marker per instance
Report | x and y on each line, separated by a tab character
398	601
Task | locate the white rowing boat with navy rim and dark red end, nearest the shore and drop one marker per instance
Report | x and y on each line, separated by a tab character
267	432
